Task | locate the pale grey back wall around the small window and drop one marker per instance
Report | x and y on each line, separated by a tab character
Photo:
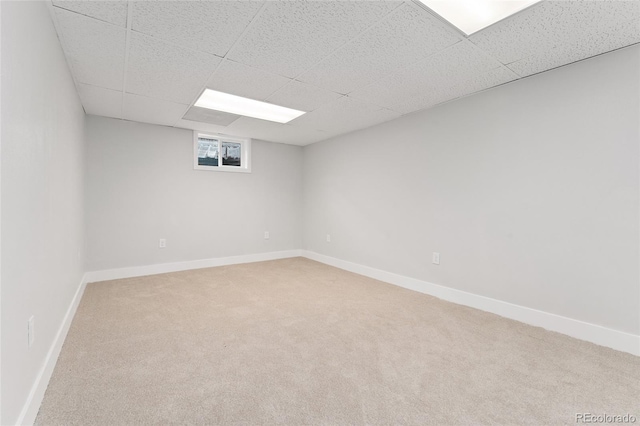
141	186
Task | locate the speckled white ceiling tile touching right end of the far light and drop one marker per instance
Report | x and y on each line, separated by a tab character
344	115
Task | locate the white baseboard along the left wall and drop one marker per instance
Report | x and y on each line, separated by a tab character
32	405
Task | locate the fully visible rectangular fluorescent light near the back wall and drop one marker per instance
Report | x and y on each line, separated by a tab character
248	107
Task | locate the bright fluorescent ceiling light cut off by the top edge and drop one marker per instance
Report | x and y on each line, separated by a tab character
473	15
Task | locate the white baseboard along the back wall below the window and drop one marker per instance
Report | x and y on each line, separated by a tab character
163	268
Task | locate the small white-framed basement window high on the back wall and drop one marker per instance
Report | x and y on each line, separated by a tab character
221	153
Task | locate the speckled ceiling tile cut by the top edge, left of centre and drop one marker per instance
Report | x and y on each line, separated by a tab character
207	26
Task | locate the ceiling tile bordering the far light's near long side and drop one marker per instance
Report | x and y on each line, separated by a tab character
242	80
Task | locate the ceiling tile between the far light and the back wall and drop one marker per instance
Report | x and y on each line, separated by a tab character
269	131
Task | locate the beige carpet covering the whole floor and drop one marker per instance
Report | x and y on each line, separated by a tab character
300	343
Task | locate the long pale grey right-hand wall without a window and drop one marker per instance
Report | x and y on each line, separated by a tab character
529	192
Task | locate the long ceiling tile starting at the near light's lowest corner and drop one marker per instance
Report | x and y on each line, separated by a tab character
457	63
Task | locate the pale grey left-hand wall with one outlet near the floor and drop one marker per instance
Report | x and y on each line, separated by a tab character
42	196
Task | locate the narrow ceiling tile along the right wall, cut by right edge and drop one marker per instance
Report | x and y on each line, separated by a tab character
621	35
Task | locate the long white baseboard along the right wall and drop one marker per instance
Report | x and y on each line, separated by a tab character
599	335
